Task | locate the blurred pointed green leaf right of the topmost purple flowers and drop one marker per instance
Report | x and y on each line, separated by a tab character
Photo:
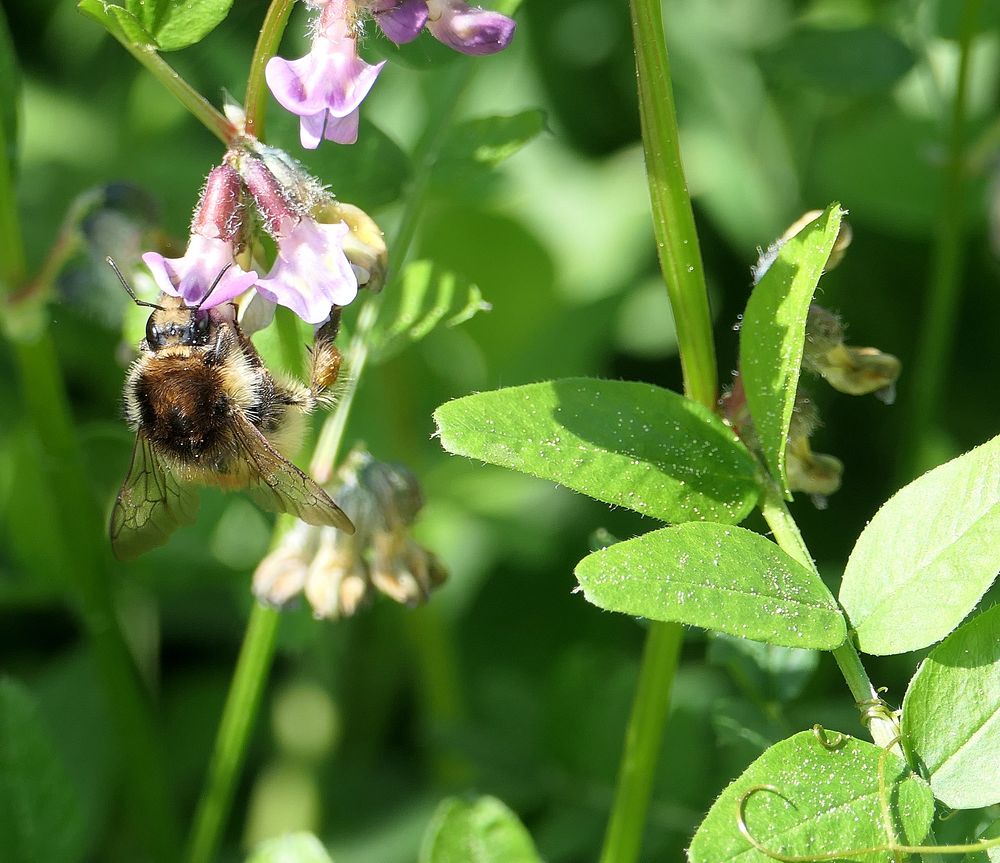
483	143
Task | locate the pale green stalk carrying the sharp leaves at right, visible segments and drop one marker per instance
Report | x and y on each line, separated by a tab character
882	726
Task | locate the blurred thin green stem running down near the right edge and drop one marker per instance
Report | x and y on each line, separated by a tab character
937	335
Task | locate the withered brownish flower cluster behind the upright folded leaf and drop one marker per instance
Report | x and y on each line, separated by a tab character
855	371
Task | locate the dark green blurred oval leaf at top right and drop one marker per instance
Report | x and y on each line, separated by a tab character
847	63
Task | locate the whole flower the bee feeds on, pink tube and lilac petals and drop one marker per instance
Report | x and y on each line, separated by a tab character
215	231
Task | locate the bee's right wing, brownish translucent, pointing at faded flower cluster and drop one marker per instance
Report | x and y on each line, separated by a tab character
279	486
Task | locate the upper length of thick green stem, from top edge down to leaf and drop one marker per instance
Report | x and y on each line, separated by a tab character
673	218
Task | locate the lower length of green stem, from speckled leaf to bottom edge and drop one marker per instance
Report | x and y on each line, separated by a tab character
643	739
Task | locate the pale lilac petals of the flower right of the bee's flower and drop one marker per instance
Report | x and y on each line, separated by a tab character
311	273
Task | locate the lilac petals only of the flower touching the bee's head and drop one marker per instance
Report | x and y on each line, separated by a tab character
191	276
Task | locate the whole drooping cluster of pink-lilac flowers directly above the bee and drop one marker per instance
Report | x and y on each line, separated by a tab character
326	249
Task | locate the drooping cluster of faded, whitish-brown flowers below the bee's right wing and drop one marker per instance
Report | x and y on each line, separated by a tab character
337	571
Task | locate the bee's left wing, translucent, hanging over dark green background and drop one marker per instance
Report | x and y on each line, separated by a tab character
152	503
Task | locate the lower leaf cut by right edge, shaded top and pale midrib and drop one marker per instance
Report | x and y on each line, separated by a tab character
951	715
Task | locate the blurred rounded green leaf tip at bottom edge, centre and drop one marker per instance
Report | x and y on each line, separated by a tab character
478	831
